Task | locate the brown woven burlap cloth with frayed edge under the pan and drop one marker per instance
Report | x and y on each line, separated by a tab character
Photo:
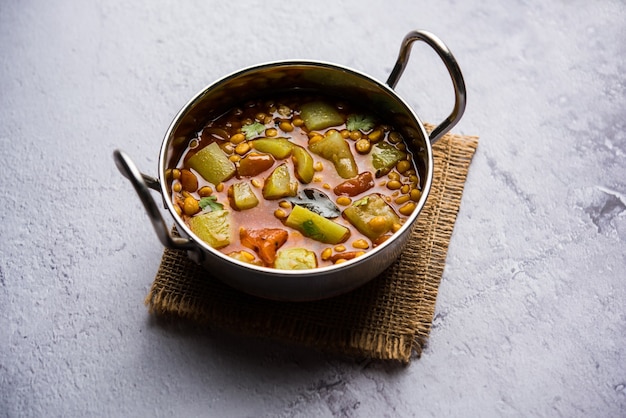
389	318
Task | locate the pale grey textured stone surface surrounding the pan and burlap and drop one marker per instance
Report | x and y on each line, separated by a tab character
531	317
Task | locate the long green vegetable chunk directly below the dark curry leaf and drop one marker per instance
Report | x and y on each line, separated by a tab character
316	227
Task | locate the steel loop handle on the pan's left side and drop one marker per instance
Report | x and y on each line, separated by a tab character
141	182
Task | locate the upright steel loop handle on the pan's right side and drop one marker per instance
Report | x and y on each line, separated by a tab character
452	66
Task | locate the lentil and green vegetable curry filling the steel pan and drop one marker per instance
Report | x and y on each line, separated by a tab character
298	182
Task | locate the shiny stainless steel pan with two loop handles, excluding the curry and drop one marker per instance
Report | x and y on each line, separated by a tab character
275	77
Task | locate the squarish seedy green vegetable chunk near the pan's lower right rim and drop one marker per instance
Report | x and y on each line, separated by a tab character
372	216
